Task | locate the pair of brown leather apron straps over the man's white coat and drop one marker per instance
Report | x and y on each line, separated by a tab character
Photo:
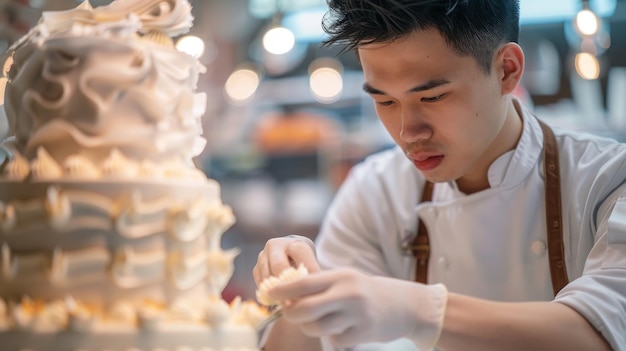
554	222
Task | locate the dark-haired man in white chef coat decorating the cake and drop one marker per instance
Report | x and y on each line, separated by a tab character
508	262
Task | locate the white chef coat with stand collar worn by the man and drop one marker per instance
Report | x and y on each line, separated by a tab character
492	244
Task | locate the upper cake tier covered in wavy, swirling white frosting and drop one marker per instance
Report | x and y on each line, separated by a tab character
84	79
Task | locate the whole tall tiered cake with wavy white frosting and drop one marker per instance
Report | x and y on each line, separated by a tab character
109	235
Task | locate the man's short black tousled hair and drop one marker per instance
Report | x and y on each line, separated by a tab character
471	27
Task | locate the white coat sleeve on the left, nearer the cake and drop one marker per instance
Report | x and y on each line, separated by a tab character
371	215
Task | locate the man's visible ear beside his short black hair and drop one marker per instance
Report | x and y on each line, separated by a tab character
509	65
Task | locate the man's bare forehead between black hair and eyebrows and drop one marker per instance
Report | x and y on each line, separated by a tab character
423	53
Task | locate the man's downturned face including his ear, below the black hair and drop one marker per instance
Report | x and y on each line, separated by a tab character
450	116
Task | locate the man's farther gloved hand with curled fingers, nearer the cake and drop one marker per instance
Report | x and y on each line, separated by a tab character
282	253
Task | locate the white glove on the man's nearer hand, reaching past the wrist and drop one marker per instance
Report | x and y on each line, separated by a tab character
353	308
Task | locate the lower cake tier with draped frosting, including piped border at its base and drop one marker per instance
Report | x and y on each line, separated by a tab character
122	264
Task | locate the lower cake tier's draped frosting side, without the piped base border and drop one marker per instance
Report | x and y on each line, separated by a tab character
106	241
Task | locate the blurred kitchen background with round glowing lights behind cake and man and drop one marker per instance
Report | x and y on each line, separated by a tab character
287	118
